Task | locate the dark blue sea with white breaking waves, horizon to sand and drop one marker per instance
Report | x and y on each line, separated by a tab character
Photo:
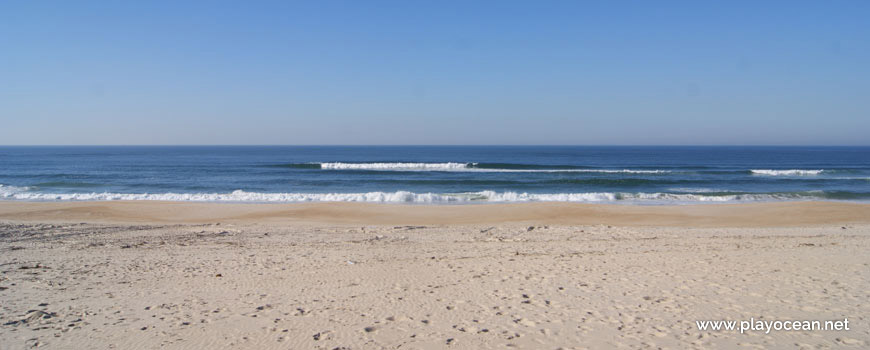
435	174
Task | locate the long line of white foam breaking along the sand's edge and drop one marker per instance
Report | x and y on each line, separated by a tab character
23	193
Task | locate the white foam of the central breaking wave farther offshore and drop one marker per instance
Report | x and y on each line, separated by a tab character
467	167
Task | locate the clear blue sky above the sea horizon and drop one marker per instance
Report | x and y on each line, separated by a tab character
435	72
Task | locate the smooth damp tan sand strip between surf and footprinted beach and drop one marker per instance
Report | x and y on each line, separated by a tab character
766	214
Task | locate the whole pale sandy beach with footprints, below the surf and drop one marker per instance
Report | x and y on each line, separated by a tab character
147	275
